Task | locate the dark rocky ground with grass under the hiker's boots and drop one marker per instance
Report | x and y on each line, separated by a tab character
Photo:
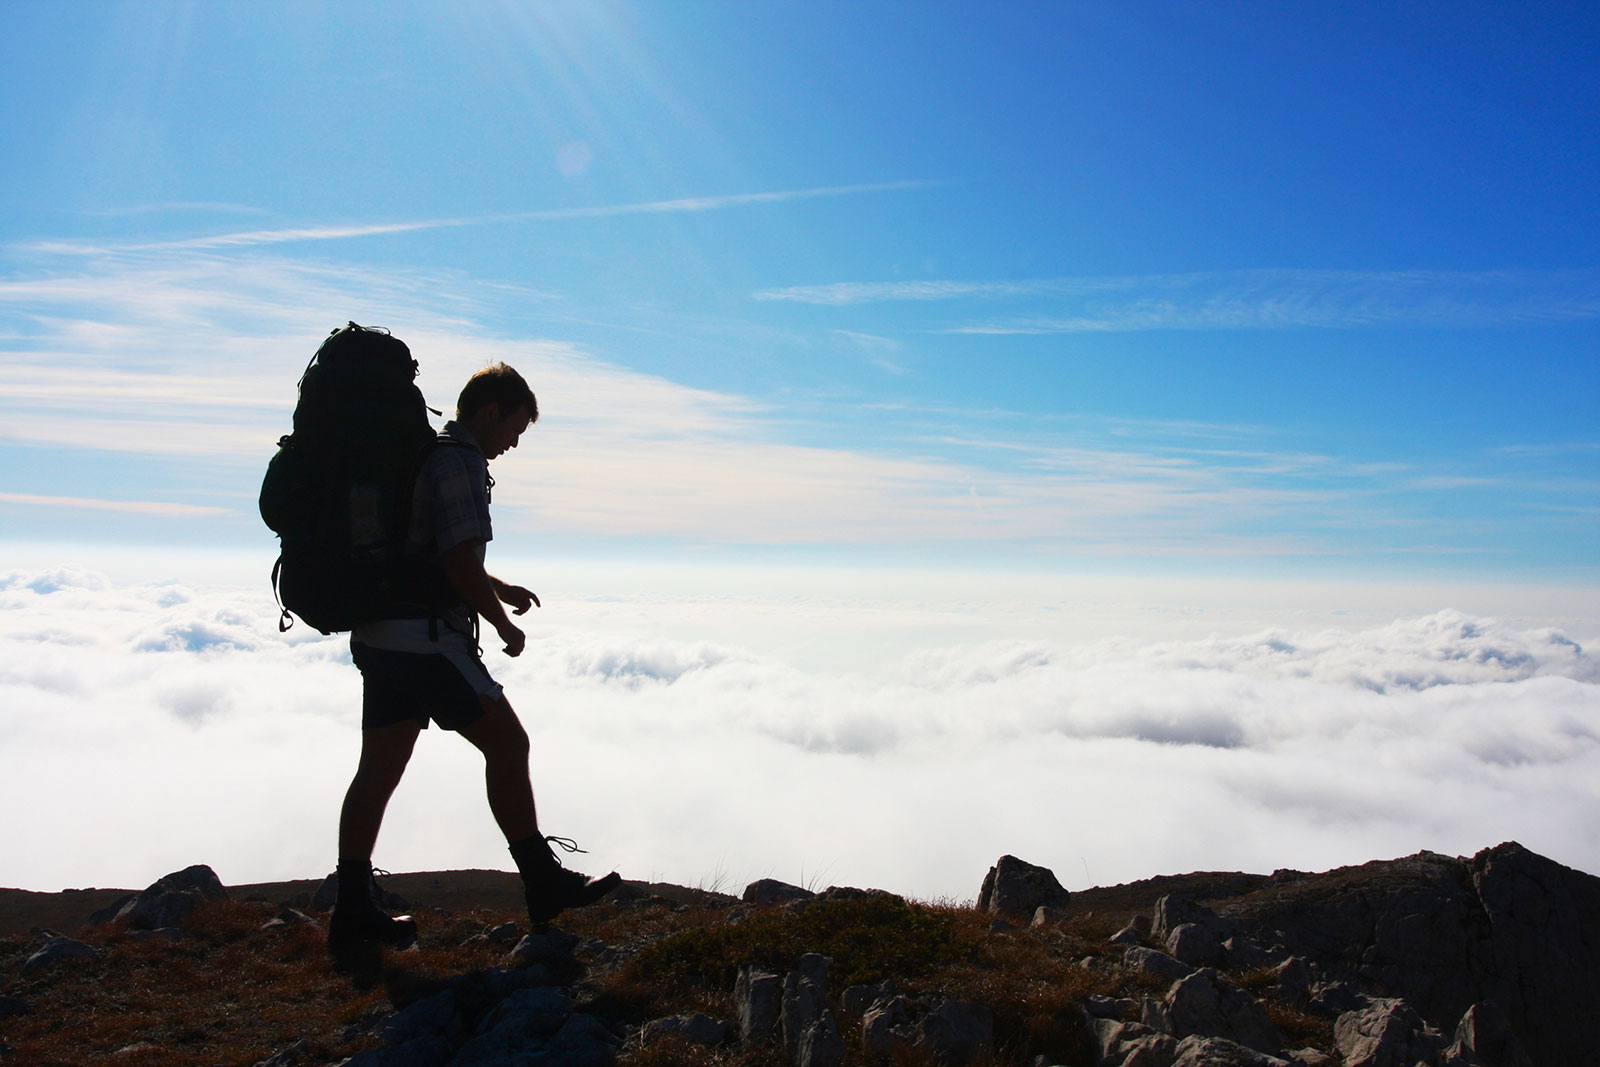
1436	961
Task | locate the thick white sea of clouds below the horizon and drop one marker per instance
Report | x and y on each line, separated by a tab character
153	725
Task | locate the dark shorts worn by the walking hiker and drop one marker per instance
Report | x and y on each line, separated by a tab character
398	687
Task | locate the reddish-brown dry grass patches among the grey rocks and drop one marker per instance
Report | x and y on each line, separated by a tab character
230	993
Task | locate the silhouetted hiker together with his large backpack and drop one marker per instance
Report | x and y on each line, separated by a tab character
396	556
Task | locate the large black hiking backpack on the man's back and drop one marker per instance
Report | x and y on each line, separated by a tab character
338	492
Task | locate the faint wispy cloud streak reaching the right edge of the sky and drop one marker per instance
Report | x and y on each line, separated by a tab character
1241	300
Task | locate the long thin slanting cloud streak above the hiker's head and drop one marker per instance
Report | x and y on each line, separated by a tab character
681	206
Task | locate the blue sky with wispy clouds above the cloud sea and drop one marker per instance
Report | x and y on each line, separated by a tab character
1151	287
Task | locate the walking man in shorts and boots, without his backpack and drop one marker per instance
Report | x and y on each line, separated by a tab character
426	666
